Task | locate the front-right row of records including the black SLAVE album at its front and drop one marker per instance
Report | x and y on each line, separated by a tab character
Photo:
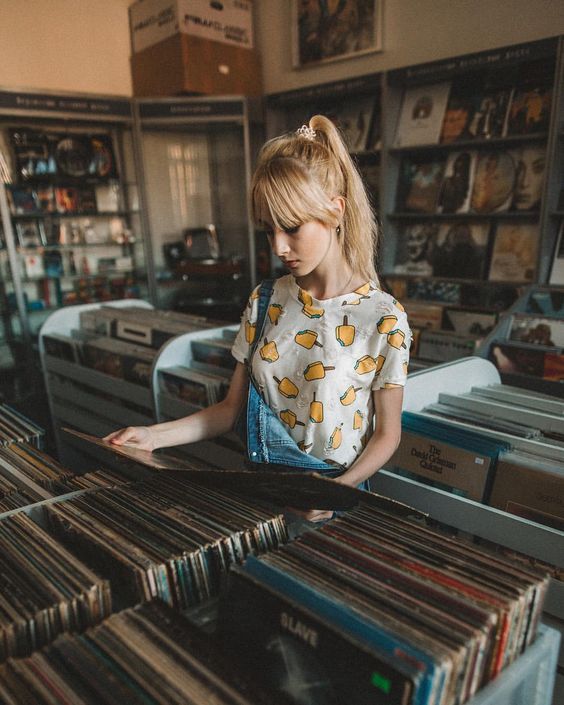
373	603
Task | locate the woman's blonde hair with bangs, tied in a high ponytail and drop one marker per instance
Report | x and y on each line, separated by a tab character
297	176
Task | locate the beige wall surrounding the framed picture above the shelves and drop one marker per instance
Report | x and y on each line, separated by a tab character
415	31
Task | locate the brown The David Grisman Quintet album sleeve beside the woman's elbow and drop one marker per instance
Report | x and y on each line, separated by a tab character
449	468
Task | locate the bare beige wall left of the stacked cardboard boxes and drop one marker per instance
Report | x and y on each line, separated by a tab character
65	45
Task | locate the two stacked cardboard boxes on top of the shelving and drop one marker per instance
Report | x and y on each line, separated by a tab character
193	46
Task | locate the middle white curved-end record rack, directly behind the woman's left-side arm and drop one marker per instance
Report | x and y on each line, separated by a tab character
223	452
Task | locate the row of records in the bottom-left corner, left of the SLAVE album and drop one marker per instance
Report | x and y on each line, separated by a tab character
143	656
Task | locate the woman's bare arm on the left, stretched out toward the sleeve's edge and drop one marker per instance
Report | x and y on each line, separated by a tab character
207	423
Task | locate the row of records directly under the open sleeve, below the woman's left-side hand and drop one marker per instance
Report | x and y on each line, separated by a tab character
166	538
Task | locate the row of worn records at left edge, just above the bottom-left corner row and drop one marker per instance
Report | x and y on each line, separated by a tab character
44	589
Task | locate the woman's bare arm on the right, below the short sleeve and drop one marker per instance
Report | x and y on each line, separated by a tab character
384	440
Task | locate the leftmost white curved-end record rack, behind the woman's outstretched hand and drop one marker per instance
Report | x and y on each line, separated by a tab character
83	398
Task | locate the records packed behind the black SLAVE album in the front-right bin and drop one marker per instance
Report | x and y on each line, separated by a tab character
381	579
